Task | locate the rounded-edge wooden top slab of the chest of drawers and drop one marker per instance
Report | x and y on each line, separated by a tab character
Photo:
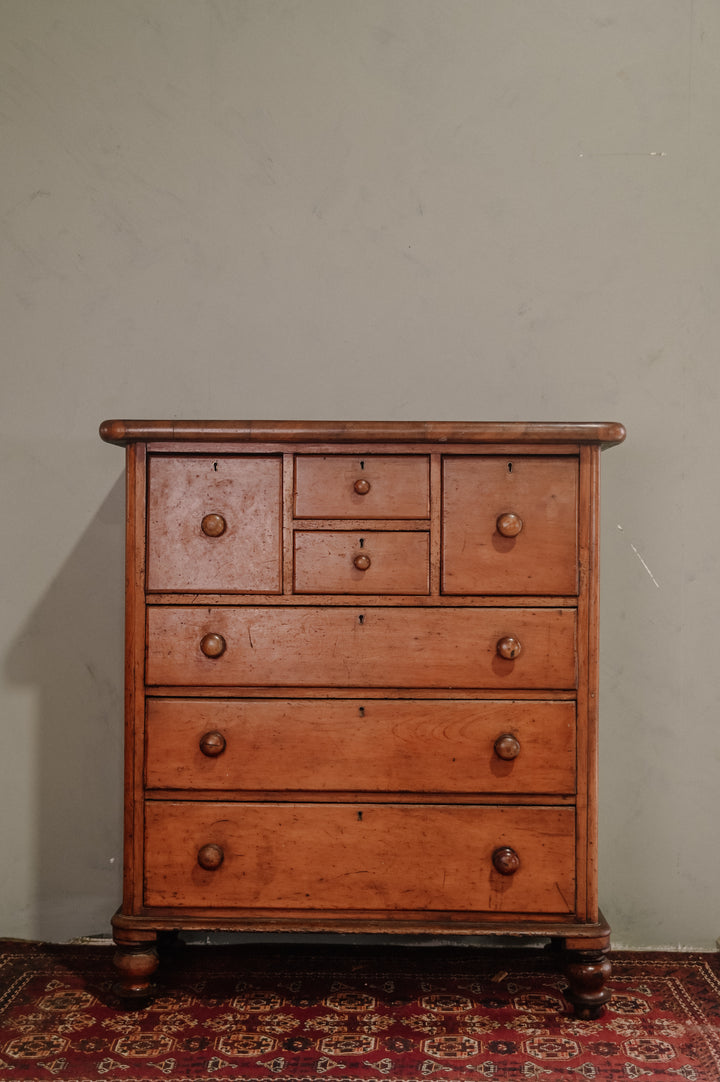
606	433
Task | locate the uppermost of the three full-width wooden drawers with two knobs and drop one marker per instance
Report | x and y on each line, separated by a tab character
361	648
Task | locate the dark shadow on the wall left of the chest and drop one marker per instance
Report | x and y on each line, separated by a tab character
71	652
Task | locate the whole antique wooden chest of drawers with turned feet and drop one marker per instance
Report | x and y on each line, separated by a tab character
362	676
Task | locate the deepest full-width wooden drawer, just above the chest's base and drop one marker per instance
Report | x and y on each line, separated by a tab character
381	857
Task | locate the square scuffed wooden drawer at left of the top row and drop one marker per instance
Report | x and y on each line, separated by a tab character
215	524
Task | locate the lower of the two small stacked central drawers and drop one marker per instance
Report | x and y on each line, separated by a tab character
373	562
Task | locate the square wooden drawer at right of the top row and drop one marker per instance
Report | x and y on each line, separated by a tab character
510	525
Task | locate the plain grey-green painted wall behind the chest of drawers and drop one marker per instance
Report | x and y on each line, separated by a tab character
398	209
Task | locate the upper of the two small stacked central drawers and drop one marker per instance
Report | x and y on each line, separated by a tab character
373	486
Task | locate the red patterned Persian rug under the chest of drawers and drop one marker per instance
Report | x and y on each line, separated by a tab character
355	1013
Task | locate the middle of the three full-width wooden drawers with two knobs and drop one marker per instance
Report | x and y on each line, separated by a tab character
356	746
